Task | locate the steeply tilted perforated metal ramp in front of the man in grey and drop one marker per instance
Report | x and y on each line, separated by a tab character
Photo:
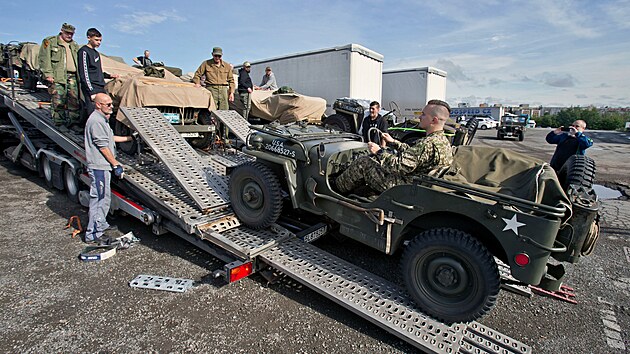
205	187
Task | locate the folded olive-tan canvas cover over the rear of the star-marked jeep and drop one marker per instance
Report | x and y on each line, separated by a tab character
507	172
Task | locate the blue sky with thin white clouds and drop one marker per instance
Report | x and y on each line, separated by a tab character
537	52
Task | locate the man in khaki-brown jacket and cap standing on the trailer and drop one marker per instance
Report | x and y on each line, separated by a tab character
219	80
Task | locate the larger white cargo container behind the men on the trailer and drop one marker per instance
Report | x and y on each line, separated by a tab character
346	71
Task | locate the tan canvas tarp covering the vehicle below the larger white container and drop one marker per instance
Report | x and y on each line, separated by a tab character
285	107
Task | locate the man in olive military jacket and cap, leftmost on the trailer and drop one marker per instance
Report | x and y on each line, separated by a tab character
58	63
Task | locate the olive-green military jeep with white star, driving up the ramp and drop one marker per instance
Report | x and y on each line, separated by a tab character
446	228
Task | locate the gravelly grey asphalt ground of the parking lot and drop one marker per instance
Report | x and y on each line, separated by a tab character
51	301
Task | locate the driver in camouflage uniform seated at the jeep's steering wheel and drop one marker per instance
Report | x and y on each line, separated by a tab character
381	170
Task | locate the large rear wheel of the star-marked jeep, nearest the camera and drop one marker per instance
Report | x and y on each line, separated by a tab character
450	275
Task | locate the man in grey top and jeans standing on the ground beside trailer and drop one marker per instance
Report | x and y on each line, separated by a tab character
100	153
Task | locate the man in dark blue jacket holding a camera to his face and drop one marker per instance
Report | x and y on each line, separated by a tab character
571	141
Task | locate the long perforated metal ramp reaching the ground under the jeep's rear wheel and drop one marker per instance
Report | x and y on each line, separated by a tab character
382	302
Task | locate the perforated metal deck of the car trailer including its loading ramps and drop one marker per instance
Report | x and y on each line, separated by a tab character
184	191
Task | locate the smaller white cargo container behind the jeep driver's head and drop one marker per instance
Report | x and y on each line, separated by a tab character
412	88
